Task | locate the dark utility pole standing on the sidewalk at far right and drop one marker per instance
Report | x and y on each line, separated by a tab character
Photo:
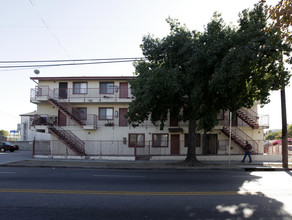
284	130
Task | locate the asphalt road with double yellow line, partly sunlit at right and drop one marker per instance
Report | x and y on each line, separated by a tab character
64	193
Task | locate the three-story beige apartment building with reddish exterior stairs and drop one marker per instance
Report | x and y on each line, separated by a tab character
85	117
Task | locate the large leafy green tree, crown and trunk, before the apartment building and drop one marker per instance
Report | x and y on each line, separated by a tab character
194	75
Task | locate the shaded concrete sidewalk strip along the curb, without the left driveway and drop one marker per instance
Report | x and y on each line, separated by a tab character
147	165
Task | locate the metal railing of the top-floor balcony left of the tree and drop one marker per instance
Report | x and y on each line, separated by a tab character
82	95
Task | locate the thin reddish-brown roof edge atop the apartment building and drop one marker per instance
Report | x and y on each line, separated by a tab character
85	78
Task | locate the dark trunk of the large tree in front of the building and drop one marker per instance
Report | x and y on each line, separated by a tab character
192	155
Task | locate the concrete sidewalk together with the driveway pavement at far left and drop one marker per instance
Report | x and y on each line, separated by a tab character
25	159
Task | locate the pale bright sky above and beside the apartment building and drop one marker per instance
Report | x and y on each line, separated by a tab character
95	29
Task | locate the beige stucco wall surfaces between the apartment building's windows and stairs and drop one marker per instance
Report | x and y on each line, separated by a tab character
99	140
